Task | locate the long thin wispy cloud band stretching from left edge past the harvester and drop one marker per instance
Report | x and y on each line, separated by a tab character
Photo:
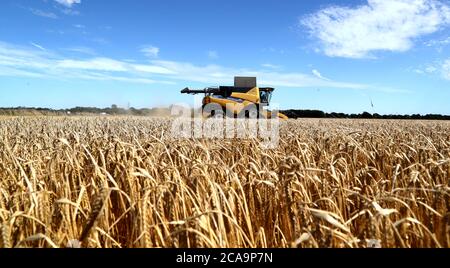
29	61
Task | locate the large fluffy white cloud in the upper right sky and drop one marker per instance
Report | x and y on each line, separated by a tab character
379	25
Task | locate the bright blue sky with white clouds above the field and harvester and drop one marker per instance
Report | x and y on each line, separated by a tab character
329	55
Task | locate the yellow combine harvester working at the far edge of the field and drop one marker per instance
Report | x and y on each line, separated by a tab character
243	100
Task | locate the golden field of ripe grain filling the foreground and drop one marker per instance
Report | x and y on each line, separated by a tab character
121	182
